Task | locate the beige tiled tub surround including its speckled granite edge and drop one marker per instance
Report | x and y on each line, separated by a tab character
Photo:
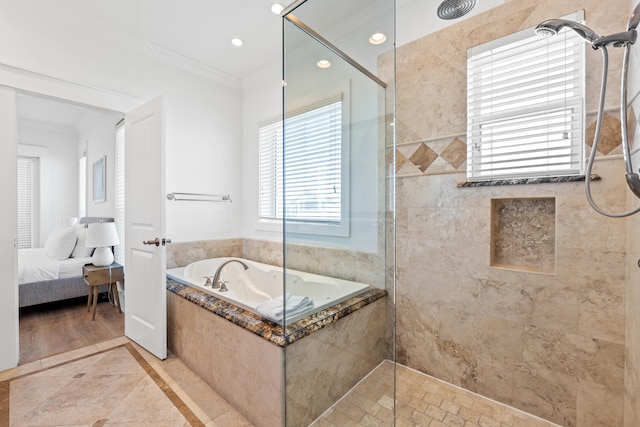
242	356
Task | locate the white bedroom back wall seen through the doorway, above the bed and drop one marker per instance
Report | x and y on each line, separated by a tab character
58	172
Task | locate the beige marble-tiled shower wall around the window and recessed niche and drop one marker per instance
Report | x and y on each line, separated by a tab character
551	341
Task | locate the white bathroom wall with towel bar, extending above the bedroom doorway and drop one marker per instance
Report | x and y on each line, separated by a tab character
203	116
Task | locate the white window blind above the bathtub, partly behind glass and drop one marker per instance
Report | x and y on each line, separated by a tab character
306	185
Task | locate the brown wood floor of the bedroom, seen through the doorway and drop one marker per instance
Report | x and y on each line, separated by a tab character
50	329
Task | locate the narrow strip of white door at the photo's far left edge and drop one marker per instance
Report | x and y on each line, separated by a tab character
9	285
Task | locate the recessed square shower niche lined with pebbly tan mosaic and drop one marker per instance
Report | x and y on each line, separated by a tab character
523	233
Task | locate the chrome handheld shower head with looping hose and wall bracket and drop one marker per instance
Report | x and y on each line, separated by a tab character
624	40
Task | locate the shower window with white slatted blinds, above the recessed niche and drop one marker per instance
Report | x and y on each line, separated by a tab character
525	108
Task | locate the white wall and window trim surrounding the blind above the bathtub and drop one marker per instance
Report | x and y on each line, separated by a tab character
262	96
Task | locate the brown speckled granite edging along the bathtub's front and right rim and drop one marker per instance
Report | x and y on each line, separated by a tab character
270	330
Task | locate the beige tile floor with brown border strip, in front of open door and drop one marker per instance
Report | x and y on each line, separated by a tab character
115	383
